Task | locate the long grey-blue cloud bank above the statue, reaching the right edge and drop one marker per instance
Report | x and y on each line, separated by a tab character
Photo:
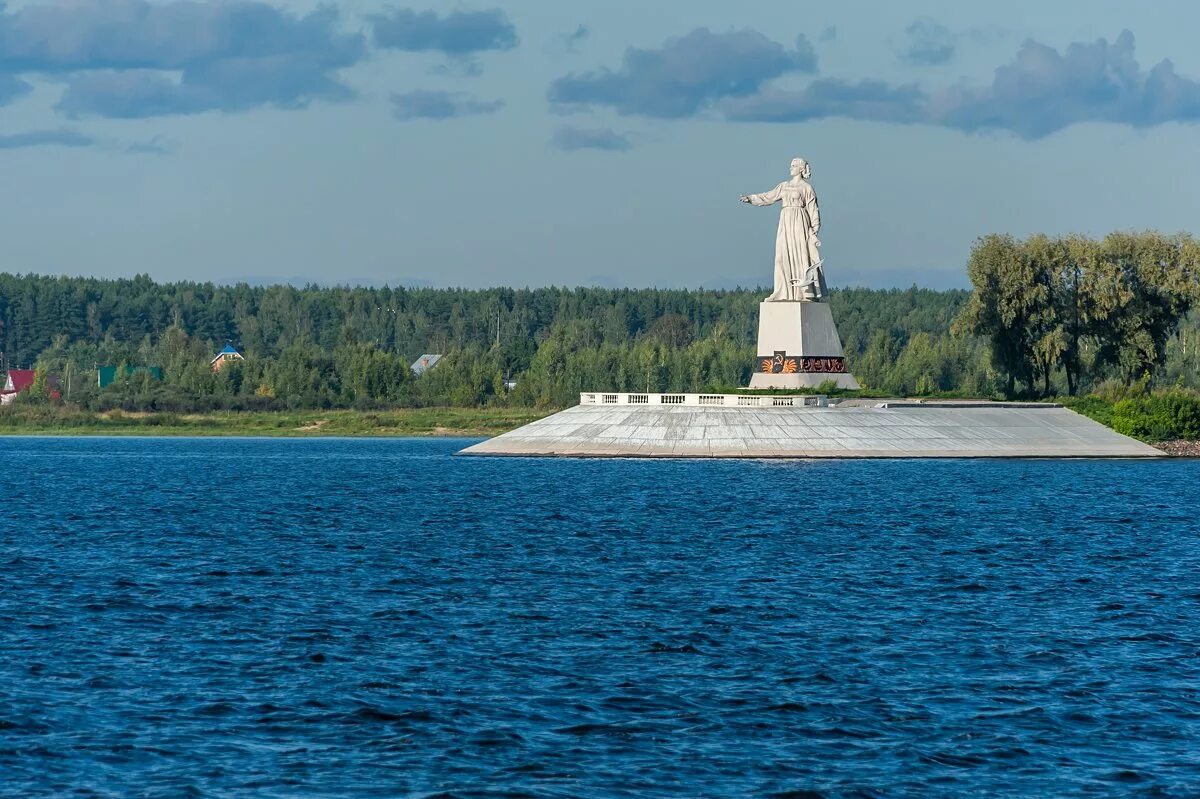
1041	92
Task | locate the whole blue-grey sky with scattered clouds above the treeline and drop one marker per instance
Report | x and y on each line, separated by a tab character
583	143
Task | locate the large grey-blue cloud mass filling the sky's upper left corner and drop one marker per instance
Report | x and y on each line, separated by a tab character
135	59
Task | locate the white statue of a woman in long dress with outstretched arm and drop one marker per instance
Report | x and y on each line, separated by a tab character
799	274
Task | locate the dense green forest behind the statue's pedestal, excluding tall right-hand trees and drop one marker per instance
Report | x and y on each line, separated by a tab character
352	347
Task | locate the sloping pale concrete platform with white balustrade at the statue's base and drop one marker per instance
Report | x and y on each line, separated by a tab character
686	429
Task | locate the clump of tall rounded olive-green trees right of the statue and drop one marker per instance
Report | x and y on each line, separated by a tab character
1043	304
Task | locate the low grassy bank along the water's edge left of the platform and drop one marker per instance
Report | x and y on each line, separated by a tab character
405	422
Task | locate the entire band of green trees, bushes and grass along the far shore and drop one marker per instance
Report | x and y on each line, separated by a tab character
1109	325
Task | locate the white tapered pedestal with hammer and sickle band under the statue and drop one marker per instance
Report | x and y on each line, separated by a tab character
799	349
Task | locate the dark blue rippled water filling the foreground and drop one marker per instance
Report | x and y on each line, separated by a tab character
375	618
